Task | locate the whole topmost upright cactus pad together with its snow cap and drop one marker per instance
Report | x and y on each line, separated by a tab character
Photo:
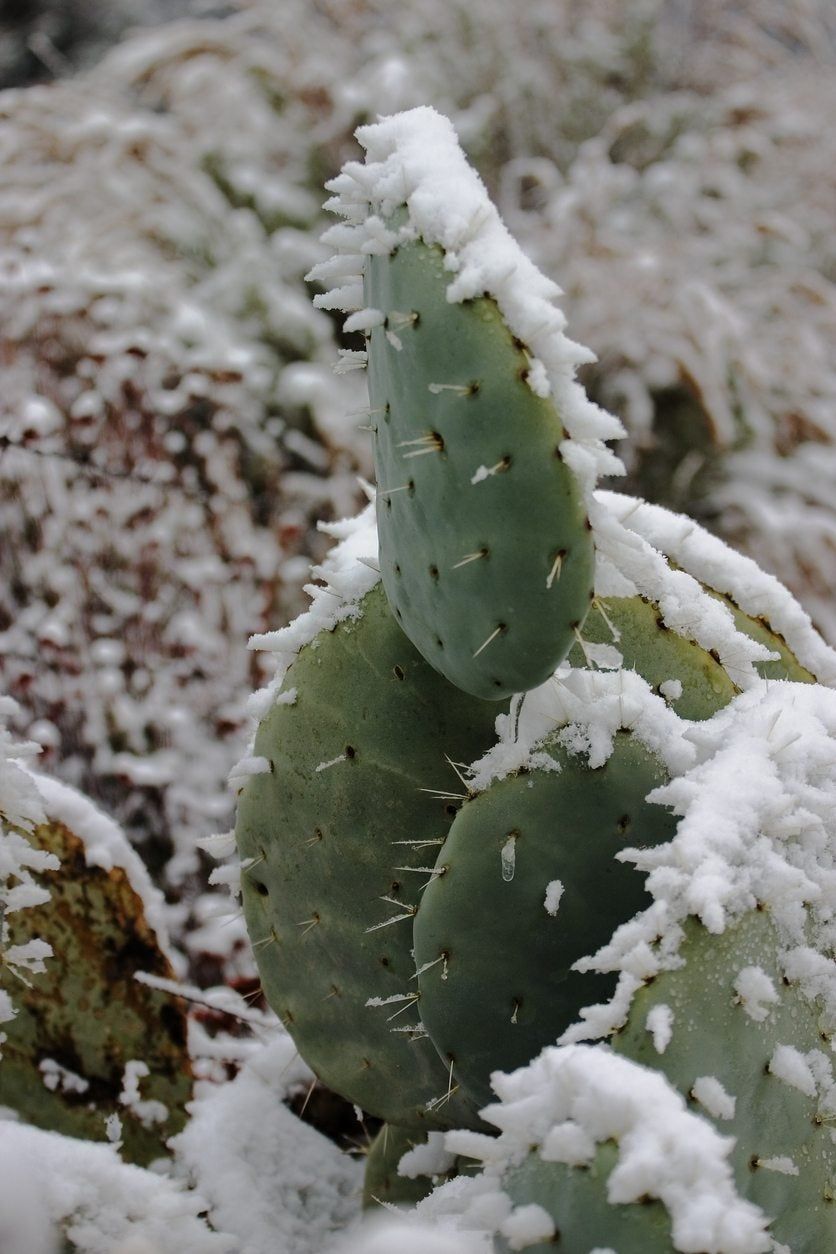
486	447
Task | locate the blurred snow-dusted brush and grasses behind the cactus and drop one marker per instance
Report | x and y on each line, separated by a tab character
171	427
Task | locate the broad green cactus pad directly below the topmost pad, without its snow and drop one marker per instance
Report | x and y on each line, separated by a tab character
334	840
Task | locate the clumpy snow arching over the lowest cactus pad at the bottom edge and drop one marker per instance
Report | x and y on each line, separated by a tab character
664	1149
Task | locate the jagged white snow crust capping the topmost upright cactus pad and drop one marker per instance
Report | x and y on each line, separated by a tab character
414	164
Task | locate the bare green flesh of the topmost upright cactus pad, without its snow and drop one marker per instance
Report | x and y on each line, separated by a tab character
487	555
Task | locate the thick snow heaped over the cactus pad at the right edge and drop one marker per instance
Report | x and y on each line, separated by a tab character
756	827
